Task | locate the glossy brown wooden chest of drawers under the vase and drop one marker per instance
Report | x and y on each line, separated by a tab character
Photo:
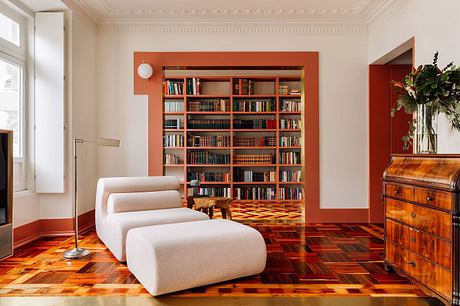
422	221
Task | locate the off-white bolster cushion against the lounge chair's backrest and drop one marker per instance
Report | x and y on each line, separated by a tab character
137	201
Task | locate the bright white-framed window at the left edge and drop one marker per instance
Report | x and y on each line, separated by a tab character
12	89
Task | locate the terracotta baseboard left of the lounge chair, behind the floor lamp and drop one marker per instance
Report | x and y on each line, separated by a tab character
50	228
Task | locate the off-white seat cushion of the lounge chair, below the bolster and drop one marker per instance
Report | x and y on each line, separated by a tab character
120	223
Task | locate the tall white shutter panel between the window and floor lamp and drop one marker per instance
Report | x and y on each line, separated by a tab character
49	102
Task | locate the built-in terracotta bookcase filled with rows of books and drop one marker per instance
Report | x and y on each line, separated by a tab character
239	136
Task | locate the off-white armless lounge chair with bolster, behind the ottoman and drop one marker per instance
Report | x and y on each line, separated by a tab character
124	203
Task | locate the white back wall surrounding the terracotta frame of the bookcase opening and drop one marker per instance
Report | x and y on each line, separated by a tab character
343	98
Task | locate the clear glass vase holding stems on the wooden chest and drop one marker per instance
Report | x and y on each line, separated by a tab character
426	130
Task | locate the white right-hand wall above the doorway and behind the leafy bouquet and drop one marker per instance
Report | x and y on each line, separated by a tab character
435	25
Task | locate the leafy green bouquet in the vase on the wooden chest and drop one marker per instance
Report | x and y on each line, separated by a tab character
436	90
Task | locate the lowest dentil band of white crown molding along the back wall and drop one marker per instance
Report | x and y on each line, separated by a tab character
233	28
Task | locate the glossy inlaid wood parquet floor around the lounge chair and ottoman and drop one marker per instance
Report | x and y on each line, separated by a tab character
333	260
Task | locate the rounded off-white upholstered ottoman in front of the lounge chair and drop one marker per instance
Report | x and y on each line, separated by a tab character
173	257
